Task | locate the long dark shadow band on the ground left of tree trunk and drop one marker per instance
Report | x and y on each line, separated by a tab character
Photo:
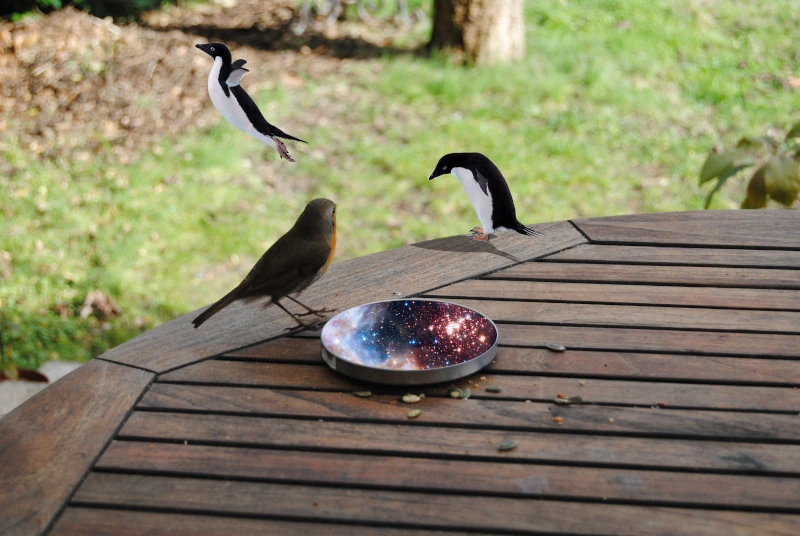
282	38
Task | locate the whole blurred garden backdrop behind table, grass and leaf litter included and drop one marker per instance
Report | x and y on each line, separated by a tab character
125	199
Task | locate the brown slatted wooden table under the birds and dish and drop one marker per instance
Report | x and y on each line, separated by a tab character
683	337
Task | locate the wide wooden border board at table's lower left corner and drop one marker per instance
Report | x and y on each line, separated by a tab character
50	442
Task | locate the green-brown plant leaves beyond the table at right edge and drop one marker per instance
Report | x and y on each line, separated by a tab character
777	174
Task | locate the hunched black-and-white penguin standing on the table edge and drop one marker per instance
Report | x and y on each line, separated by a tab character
486	189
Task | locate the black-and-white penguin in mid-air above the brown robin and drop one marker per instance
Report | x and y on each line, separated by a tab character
235	104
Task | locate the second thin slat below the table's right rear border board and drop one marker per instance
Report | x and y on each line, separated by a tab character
667	275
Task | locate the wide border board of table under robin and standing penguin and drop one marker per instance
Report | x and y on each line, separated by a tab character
386	275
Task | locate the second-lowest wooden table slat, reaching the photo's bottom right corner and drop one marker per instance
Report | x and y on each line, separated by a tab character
406	509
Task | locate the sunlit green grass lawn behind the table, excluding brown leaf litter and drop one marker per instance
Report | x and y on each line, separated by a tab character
612	111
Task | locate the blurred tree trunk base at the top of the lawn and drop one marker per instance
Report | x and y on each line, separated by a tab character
484	31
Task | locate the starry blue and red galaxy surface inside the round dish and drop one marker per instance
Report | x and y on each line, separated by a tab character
409	334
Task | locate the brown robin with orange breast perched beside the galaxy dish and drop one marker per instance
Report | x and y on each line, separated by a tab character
291	265
